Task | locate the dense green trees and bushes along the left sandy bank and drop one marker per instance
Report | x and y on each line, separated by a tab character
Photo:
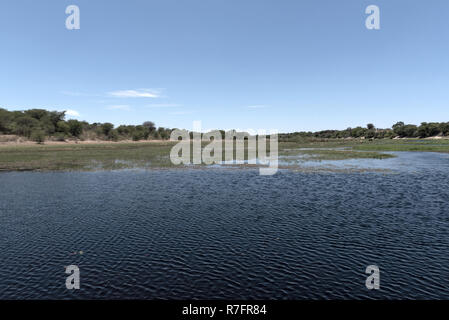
39	125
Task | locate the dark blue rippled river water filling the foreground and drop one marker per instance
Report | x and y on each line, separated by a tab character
219	233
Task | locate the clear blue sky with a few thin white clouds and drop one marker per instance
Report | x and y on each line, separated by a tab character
289	65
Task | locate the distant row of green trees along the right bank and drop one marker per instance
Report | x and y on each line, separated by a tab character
399	130
